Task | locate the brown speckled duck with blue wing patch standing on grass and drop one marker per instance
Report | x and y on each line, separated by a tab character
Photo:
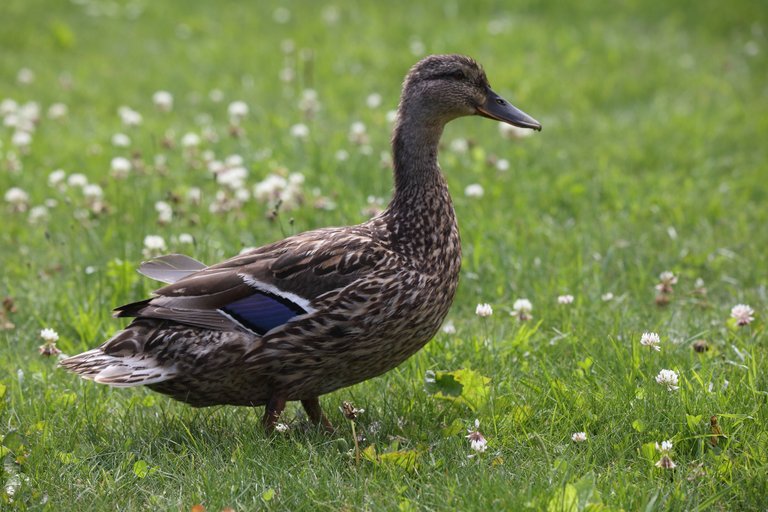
320	310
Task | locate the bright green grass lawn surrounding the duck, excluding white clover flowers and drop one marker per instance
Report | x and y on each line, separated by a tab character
652	158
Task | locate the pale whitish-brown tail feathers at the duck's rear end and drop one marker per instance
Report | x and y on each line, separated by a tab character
118	371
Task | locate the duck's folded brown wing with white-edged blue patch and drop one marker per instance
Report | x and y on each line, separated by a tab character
262	289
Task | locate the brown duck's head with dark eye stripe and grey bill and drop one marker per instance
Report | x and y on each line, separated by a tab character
444	87
